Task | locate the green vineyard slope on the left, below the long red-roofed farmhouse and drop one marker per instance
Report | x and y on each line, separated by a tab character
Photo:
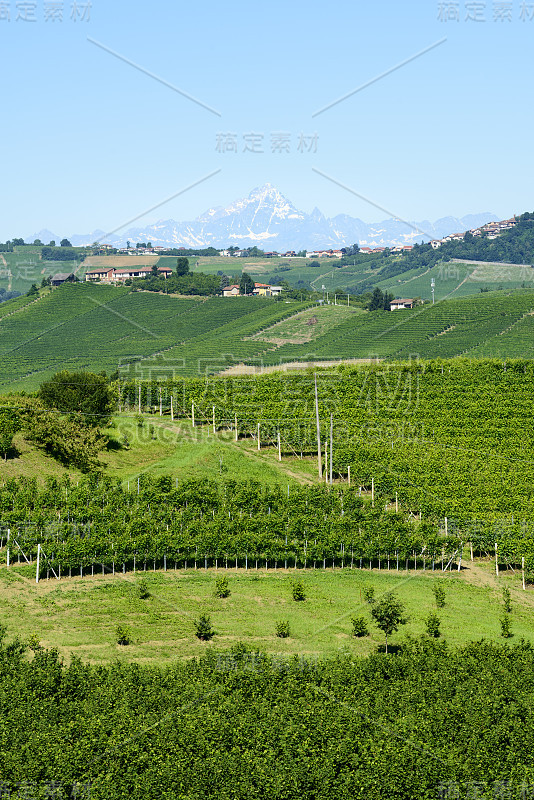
102	328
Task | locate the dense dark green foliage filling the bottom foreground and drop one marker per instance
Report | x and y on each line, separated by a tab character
425	722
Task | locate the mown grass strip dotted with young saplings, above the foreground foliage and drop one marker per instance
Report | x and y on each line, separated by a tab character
79	615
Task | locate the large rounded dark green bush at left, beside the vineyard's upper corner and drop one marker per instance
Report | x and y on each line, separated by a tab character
80	392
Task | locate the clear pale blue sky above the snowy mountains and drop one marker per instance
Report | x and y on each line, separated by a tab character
91	142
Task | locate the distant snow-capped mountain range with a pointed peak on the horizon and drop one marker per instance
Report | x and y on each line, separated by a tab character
270	221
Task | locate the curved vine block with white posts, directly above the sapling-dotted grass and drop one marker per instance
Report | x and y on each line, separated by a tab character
99	524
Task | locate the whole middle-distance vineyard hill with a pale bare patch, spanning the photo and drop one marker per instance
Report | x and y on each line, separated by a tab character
81	326
